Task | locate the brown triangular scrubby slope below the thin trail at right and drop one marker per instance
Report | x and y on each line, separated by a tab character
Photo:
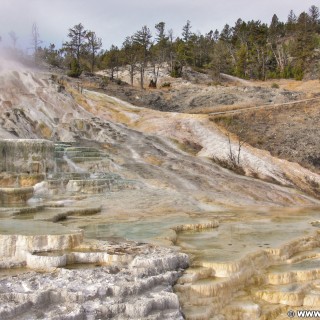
289	132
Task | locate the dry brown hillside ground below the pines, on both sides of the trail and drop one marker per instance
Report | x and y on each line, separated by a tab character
289	132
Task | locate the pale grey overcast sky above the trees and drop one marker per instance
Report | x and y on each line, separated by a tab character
113	20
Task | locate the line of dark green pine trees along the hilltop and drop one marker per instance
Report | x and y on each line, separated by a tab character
250	50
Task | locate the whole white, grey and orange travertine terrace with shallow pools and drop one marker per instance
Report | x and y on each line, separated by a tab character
122	199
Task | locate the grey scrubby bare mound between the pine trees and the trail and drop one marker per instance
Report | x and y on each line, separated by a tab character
196	95
